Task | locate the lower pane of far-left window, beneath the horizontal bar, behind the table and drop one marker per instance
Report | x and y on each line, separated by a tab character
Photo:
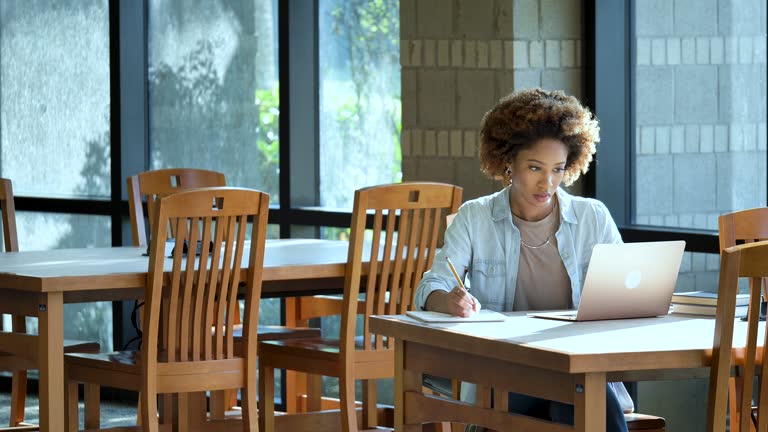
42	231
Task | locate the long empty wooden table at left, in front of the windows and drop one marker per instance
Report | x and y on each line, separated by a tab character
38	283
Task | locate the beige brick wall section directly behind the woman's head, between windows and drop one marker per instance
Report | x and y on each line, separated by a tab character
459	57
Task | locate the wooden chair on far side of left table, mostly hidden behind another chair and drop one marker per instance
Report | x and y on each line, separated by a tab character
153	185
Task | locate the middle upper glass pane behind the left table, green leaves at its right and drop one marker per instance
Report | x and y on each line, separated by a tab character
213	89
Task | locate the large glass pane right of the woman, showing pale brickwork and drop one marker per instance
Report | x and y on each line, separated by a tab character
700	110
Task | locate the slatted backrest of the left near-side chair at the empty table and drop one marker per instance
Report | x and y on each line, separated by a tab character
203	287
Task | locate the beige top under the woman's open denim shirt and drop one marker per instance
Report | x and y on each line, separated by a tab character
542	281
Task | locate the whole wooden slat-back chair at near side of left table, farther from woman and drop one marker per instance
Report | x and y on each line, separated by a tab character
188	341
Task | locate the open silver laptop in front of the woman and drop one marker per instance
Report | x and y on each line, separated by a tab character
626	280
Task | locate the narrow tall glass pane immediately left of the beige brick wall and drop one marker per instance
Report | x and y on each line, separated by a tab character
359	97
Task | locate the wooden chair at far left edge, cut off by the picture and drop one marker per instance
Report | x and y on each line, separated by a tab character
19	364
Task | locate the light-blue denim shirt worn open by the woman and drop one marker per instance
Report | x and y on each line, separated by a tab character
484	245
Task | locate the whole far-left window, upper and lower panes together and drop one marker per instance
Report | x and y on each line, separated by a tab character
54	130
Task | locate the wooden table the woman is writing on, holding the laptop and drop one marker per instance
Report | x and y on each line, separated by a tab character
554	360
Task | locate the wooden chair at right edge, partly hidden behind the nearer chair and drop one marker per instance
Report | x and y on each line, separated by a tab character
745	226
